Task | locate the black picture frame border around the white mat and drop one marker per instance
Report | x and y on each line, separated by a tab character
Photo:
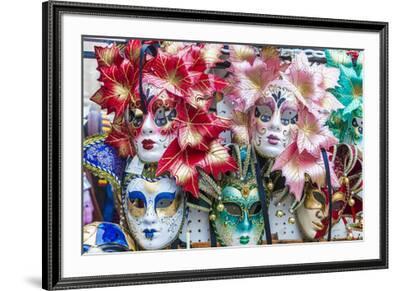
52	143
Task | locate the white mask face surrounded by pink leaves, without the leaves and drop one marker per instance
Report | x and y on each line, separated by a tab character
272	120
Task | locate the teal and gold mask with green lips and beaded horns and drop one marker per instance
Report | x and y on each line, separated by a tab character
237	213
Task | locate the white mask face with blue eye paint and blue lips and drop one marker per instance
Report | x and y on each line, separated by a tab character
154	211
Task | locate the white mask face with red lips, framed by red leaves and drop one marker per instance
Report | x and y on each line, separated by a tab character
152	131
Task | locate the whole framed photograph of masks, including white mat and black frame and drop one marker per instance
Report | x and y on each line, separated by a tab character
184	145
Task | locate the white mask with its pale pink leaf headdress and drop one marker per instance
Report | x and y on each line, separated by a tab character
287	105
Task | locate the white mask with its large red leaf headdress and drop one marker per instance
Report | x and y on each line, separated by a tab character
170	124
